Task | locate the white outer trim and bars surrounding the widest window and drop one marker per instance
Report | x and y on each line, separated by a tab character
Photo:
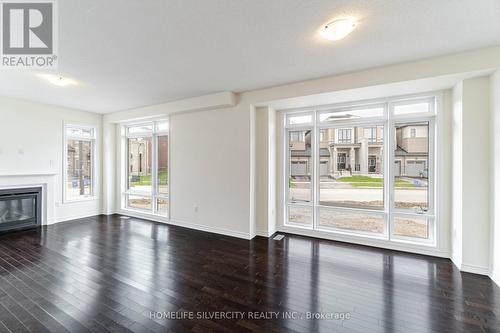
432	246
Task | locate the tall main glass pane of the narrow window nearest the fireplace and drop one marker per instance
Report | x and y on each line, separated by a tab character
79	169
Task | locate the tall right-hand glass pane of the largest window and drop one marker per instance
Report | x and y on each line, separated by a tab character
411	166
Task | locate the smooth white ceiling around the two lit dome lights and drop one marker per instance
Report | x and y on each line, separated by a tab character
129	53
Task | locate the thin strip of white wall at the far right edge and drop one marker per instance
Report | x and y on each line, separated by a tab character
495	173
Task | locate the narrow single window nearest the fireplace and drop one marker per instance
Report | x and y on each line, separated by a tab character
79	143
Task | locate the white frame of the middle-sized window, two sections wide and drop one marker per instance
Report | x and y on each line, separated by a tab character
154	195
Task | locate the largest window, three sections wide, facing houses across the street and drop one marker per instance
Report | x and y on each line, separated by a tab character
363	170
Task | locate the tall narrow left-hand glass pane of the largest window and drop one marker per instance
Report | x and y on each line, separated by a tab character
300	166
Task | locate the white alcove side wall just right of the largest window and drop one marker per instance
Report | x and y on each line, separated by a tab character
471	175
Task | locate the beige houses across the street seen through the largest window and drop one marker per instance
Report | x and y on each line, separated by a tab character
359	151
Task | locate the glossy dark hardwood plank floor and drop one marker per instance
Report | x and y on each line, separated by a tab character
108	274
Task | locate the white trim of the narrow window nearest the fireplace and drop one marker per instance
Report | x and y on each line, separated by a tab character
94	141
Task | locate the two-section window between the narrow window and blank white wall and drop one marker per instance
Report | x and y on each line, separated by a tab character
147	171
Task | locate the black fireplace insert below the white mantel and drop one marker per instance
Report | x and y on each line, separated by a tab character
20	208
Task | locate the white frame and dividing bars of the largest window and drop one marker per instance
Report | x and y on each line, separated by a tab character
388	121
